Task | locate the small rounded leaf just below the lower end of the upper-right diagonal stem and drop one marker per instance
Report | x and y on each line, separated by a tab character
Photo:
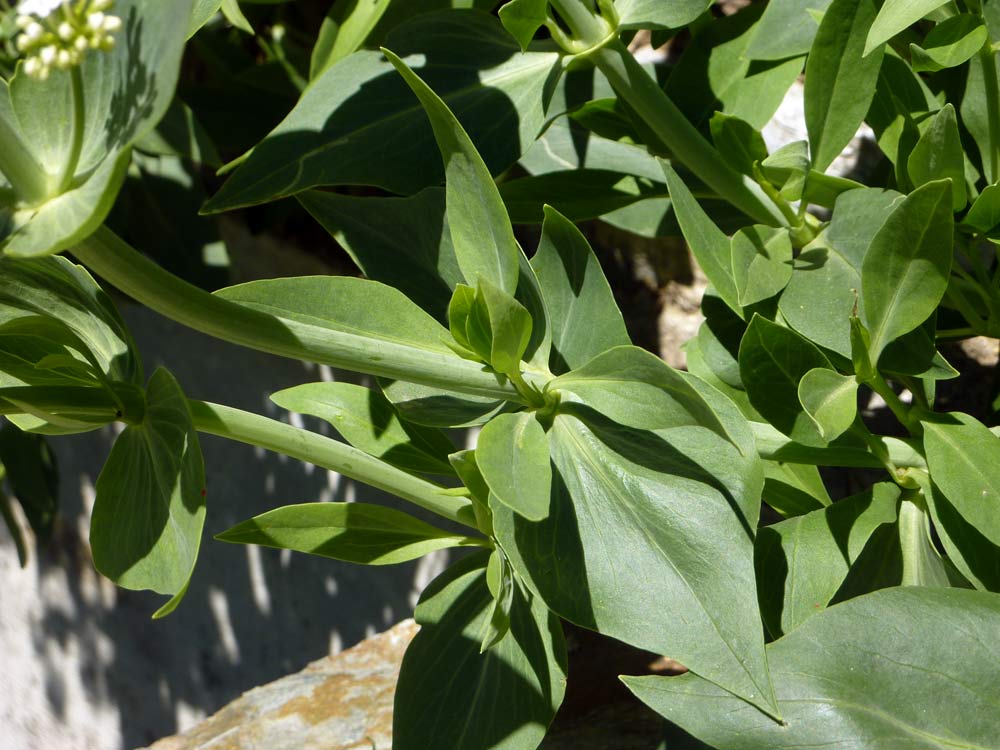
762	262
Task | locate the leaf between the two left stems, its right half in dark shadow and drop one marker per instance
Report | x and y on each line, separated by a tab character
367	420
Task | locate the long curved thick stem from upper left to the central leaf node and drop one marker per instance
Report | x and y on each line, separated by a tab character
124	267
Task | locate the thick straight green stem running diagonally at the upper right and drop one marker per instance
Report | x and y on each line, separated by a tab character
685	144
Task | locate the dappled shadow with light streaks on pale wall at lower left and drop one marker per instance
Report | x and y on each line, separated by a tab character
251	615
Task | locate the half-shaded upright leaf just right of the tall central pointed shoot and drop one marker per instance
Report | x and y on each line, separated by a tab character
584	317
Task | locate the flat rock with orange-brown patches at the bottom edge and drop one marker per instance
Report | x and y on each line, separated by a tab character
341	702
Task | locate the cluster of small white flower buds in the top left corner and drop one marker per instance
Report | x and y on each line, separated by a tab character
55	34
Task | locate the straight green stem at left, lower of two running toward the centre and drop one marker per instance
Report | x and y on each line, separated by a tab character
253	429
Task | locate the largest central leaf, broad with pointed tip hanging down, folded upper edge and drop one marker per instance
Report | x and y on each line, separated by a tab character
672	499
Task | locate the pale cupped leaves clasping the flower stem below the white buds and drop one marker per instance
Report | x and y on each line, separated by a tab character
125	93
